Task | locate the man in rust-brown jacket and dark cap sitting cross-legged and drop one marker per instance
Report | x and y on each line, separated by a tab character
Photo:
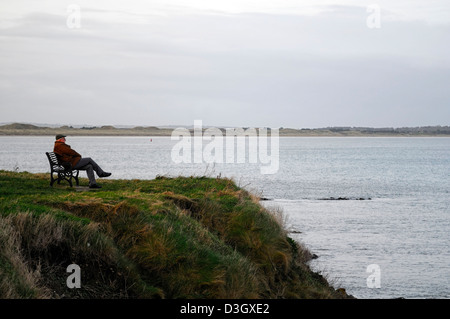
67	154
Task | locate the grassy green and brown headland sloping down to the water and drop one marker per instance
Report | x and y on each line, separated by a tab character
184	237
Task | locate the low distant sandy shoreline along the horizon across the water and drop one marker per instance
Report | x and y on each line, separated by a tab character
19	129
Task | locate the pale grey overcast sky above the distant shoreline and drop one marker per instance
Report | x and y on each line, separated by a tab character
248	63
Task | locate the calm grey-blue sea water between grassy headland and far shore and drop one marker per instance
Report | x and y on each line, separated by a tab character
374	210
